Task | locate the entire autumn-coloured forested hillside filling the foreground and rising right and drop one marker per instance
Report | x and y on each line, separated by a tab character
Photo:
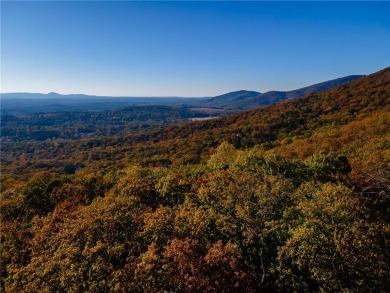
293	197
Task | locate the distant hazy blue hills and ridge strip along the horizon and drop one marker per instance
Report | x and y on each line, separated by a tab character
28	103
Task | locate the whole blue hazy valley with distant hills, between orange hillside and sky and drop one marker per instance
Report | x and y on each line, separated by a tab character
40	117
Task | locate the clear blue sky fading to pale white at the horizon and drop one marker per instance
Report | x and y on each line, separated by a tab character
188	48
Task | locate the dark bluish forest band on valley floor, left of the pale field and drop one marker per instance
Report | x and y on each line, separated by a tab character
84	124
